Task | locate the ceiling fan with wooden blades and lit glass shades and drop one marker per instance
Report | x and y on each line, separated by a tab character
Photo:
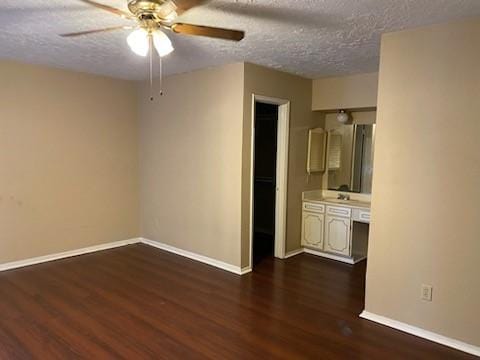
152	17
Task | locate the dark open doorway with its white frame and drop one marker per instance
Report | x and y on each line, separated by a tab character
269	156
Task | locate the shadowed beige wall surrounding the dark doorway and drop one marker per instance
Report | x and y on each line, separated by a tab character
267	82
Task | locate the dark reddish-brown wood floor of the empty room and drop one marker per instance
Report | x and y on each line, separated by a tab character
139	302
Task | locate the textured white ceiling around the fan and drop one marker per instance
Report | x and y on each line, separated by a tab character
313	38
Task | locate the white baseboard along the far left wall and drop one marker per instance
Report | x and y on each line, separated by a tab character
66	254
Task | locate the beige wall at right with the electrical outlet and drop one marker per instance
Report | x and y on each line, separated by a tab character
425	227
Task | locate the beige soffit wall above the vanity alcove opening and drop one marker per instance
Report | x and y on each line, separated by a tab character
346	92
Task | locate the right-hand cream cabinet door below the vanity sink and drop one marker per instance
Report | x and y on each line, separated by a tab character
337	235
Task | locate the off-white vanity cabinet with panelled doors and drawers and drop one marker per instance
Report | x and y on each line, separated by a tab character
327	230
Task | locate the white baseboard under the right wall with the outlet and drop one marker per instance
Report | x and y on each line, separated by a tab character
440	339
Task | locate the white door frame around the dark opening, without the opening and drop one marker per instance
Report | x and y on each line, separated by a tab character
283	131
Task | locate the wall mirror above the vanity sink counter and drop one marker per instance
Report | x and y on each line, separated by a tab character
350	158
